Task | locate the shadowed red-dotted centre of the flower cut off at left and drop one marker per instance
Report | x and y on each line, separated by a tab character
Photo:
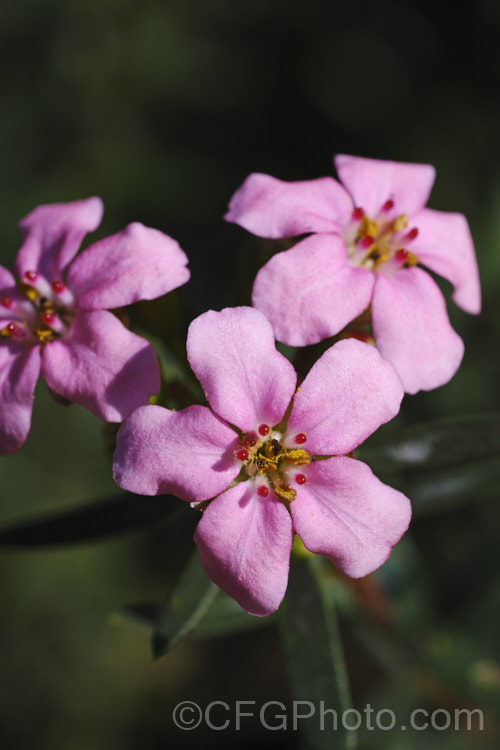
38	312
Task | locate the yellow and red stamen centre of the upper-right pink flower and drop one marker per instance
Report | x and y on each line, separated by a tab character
380	243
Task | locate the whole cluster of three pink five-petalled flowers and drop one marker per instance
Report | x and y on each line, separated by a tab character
267	458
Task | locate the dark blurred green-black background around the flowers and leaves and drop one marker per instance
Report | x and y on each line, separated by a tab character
162	109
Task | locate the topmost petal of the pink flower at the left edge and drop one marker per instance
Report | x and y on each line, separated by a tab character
52	234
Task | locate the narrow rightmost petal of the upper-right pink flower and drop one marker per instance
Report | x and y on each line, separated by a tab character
444	245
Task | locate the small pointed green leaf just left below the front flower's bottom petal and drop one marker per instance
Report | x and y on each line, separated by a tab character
185	608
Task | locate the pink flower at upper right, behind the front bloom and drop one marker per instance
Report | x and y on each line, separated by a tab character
368	238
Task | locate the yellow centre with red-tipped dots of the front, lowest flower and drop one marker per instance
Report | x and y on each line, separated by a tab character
264	456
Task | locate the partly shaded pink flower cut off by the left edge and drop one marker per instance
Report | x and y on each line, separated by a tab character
55	318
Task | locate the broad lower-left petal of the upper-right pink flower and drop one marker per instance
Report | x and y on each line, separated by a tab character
311	291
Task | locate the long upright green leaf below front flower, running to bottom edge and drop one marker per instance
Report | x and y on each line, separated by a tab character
313	653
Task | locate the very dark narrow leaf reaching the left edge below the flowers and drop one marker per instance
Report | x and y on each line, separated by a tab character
123	513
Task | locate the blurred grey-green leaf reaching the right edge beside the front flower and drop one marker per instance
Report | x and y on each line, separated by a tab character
434	445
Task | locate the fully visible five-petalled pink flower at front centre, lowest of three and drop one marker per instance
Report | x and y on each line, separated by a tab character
273	470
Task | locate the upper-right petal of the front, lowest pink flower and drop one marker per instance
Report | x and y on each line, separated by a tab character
348	393
